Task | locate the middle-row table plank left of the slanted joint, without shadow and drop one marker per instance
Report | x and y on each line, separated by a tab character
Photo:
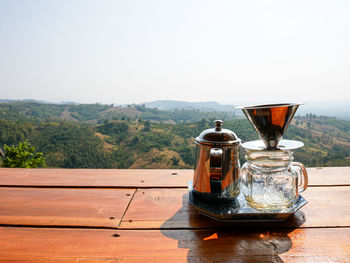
63	207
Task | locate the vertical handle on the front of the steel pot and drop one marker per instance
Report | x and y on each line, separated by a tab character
215	170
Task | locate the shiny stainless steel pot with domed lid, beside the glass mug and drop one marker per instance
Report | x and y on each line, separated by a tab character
216	170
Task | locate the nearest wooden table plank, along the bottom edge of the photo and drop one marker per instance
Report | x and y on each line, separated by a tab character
89	245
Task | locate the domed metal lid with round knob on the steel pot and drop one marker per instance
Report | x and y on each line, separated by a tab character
218	136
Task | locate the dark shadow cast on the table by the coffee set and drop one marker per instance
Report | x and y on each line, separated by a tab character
211	241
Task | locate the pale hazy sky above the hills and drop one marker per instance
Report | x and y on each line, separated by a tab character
136	51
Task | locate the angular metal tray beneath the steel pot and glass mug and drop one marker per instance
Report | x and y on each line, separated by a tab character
237	210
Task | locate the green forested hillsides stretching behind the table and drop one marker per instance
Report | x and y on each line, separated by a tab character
104	136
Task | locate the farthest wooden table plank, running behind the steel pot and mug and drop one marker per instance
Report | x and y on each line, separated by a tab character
137	178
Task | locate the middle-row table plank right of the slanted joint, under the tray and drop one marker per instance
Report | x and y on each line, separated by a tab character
169	208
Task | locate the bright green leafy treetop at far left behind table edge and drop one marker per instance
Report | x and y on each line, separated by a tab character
22	156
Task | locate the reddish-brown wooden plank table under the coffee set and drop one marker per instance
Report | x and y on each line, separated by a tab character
58	215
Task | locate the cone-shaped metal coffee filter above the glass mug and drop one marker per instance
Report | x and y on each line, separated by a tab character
270	121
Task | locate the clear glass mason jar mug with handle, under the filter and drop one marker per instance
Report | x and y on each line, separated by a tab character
270	180
